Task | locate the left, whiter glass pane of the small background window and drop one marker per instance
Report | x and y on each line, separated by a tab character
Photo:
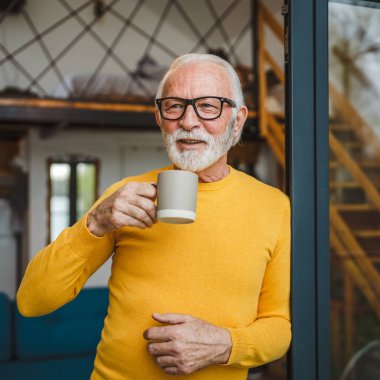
60	198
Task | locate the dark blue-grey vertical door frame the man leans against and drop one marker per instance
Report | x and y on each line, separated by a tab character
306	66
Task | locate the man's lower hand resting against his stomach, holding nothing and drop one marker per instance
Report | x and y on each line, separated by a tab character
187	343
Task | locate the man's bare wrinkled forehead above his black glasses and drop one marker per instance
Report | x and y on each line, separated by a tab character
198	80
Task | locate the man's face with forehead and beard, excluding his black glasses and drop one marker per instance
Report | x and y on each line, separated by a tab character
193	143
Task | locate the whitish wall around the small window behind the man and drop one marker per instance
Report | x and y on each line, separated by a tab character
120	154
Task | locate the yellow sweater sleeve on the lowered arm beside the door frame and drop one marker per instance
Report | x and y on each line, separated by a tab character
268	337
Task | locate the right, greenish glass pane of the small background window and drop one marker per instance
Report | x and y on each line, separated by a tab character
86	184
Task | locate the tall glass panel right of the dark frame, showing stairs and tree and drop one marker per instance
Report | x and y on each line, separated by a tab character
354	71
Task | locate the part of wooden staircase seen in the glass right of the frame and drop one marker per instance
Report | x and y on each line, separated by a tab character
355	198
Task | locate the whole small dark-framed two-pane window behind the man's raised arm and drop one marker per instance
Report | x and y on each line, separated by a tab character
72	190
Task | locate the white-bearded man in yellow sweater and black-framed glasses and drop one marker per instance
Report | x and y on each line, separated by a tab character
205	300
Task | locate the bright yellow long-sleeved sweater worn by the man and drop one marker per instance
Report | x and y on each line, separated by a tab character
231	268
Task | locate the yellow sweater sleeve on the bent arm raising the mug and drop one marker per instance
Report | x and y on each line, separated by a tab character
58	272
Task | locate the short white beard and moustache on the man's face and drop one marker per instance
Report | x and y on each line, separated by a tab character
192	160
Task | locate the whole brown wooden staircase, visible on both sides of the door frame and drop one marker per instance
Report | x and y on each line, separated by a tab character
354	179
